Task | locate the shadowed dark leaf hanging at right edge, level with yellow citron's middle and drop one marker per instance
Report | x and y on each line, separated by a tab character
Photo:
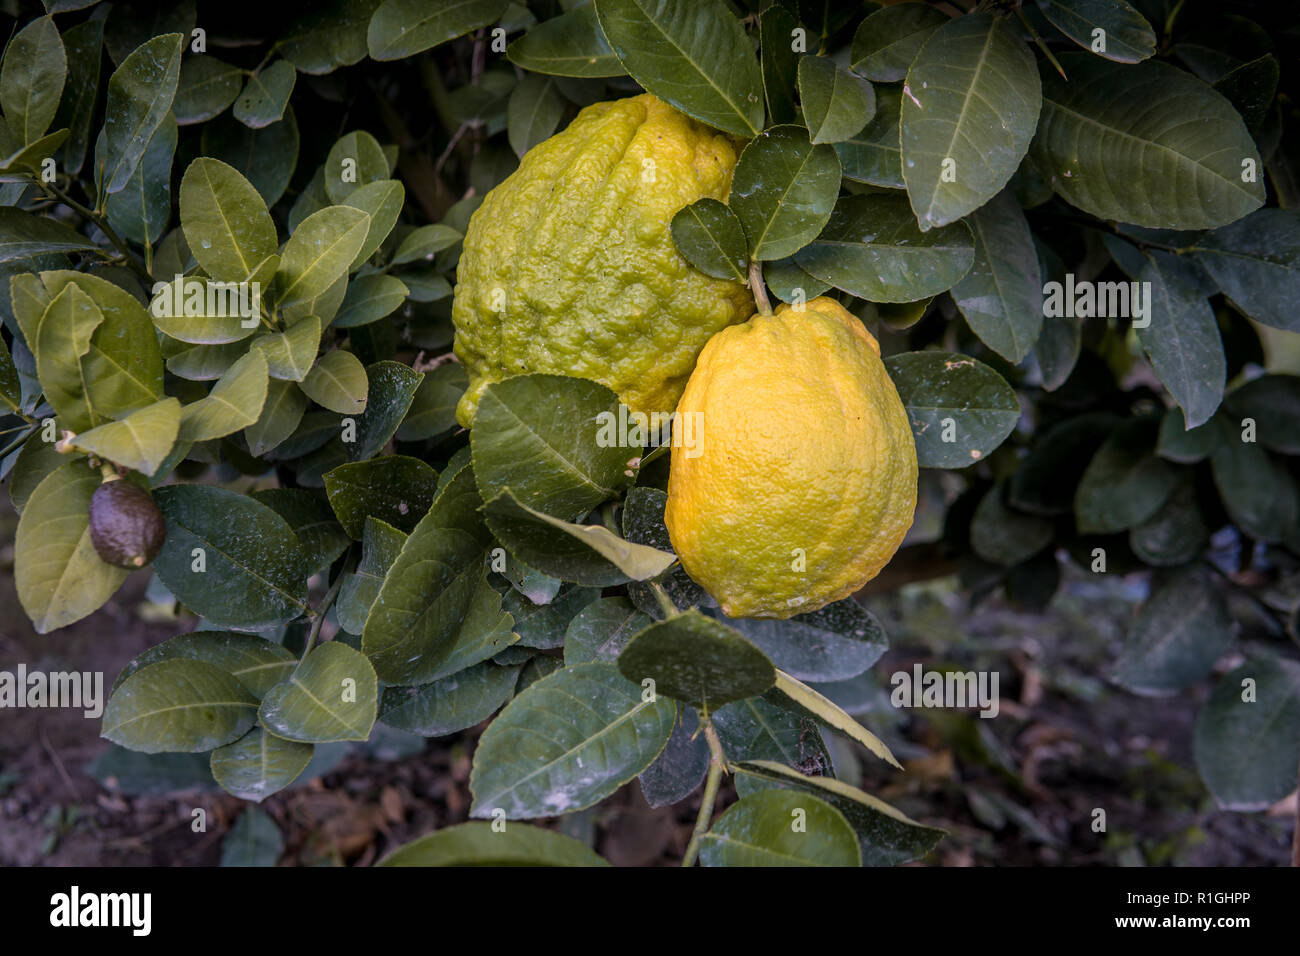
1259	492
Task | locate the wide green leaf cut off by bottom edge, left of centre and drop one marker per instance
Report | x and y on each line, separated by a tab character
484	845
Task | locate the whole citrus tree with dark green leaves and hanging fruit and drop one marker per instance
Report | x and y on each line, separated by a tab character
361	332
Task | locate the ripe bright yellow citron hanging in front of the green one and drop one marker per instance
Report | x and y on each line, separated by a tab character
804	479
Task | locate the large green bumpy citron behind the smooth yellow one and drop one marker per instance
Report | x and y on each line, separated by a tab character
570	269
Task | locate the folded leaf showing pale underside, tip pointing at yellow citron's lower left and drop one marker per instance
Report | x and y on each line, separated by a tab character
584	553
